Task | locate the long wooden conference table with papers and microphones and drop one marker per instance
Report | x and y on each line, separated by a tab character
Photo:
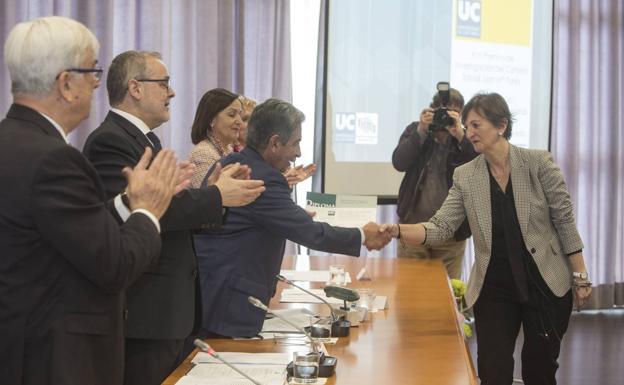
416	340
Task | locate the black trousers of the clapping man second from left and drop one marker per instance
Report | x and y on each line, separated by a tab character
150	362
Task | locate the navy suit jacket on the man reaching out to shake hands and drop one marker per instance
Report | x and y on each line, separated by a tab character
243	258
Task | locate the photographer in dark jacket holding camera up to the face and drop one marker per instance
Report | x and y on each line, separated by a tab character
428	152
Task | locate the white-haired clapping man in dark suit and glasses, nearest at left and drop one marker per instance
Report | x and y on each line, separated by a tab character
65	260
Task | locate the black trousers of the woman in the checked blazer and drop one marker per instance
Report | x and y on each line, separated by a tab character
498	317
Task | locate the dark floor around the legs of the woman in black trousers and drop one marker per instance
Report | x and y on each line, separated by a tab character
592	352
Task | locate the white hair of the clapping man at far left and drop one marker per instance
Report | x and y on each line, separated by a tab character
37	51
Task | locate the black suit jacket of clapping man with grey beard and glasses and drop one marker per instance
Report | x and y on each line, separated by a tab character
161	303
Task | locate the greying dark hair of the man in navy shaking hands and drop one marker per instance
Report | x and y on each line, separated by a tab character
274	116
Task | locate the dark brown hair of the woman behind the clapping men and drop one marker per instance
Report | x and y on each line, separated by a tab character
213	102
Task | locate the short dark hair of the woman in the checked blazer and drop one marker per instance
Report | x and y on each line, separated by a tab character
492	107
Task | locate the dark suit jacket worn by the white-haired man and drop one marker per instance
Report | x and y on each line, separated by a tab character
65	261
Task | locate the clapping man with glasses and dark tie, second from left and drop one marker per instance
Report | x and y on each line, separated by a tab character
163	304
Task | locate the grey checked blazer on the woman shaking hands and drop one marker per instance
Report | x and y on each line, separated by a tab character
544	212
